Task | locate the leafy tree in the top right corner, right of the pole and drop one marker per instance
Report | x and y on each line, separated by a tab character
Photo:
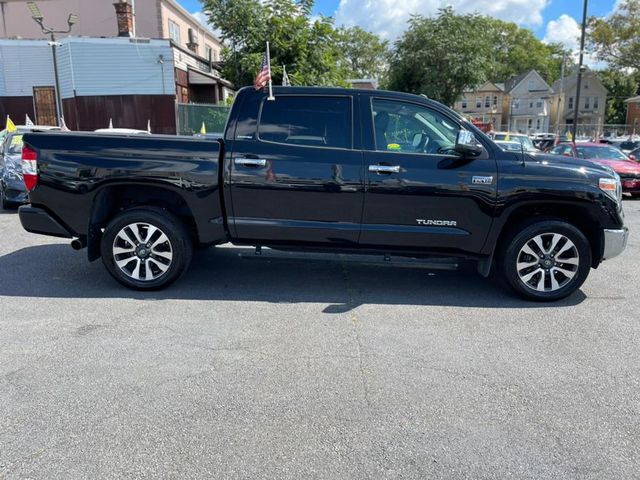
615	39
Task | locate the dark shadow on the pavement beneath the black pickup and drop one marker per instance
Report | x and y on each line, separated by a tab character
56	271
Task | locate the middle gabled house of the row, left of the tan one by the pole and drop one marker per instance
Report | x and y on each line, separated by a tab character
528	108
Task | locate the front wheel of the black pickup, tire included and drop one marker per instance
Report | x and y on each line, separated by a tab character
550	278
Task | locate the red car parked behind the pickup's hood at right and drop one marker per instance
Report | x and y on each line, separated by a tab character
627	167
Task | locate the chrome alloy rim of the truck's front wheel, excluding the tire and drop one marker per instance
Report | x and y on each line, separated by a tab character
547	262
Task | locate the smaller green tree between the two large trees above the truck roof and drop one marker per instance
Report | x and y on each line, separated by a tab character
365	55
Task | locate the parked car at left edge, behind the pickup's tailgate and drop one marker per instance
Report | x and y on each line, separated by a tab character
12	189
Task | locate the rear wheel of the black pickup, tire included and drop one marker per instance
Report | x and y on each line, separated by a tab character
146	257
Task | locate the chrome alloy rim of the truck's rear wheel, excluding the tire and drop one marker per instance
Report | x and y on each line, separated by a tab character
142	252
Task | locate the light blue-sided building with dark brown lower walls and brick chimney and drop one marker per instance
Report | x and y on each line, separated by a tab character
130	80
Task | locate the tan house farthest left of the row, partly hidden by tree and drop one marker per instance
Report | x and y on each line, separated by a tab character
484	103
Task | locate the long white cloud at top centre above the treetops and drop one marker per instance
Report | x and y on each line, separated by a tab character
388	18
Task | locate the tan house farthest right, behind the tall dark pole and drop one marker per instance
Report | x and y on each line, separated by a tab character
593	101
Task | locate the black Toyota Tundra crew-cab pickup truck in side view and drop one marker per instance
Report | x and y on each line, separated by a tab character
330	170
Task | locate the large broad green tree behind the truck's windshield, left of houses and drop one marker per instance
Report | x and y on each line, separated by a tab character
442	56
